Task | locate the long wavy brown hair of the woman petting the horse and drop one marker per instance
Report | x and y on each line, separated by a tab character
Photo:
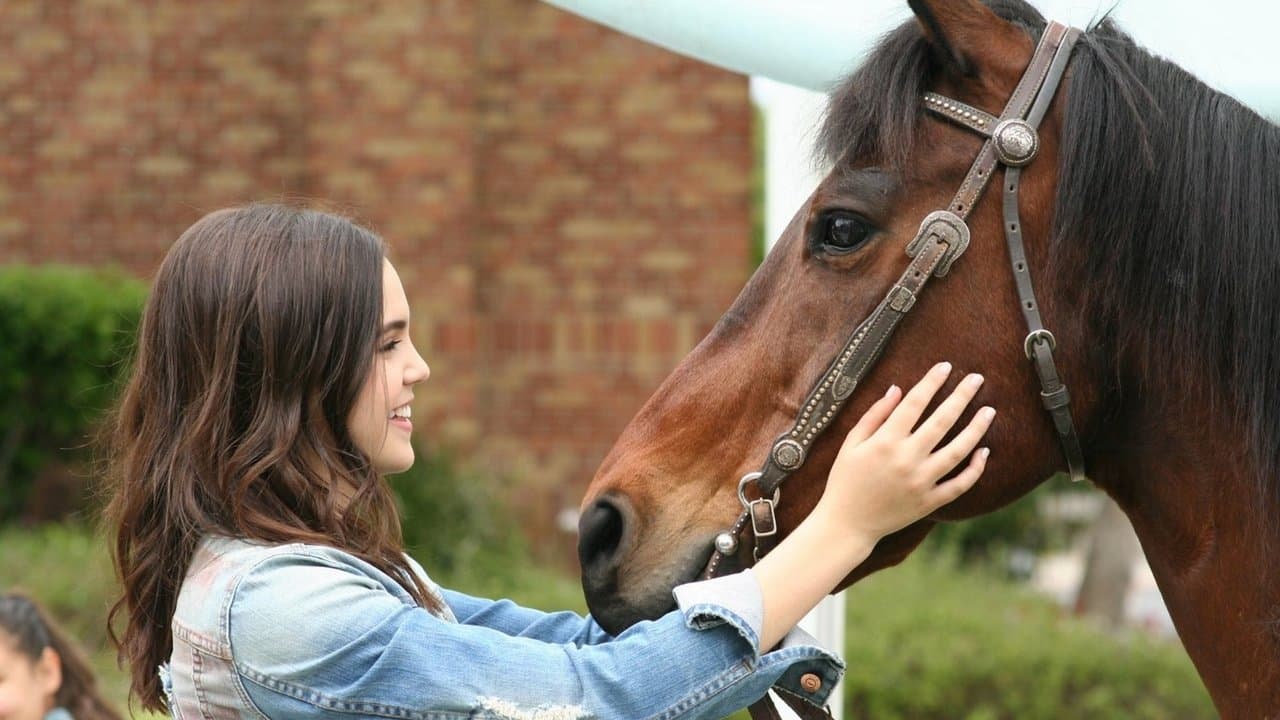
259	332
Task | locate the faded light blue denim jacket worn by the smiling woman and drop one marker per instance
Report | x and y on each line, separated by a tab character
303	631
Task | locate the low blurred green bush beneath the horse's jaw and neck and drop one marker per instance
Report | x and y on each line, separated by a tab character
930	641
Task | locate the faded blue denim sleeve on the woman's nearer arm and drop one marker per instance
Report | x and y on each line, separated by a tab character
314	639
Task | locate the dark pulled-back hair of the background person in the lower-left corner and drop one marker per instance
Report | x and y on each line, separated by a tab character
33	631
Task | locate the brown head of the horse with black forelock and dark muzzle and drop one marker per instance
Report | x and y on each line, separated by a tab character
670	485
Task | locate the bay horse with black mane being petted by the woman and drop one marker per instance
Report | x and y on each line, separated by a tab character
1151	220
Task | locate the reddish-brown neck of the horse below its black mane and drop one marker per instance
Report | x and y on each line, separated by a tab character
1187	482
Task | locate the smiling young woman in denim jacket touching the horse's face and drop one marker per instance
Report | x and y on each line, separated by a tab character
259	545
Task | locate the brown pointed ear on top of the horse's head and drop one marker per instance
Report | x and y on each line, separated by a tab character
968	39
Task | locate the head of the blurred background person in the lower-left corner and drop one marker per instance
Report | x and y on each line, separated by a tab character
42	669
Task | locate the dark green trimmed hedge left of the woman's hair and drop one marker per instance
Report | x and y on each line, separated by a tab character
65	336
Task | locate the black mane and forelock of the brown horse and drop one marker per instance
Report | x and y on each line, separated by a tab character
1169	197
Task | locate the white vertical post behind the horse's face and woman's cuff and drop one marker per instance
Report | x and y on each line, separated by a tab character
792	119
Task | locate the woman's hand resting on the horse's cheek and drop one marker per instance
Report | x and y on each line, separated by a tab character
886	476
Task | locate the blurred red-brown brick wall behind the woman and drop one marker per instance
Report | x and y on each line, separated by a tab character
568	207
